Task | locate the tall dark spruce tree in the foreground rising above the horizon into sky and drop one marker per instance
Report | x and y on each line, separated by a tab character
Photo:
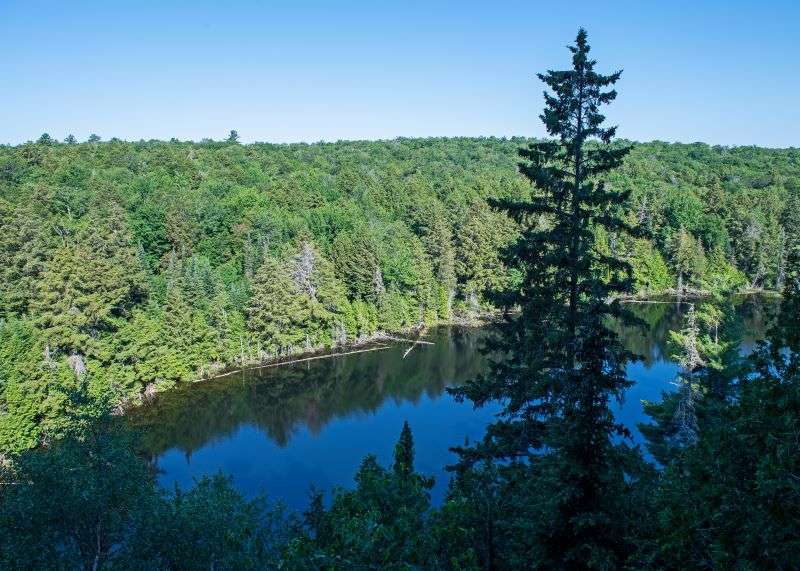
561	364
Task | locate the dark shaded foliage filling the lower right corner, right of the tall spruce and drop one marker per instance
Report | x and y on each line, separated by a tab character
739	510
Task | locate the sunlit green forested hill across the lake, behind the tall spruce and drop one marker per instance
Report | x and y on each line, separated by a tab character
131	266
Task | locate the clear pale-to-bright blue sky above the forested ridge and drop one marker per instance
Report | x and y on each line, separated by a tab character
723	72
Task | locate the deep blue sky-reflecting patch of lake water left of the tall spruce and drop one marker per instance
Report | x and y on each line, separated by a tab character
329	456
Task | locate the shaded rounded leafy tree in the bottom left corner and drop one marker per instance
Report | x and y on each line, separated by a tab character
70	506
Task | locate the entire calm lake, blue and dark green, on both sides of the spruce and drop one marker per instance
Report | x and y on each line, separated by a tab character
283	430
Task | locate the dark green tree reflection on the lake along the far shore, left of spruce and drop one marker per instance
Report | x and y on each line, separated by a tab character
310	395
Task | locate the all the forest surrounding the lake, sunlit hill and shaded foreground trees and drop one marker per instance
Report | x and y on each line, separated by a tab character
127	268
